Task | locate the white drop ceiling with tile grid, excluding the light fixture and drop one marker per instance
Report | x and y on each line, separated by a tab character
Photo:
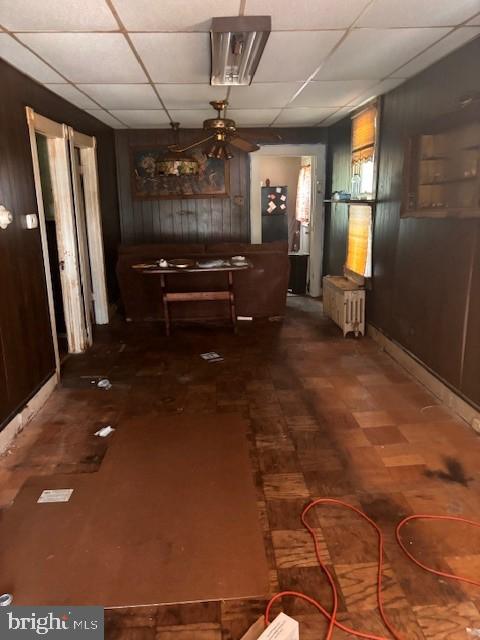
144	63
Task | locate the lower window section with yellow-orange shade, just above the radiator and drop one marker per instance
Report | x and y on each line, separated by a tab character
359	250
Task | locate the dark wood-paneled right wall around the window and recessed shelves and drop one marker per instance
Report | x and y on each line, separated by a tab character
426	283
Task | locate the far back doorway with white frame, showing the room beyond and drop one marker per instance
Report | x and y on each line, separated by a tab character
286	196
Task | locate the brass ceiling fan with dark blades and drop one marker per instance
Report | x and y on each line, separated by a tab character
223	134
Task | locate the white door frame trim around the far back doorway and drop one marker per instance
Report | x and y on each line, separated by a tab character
317	220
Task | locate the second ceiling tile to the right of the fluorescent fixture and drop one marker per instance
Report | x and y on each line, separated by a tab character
376	53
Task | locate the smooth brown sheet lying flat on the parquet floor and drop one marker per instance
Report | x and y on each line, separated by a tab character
169	517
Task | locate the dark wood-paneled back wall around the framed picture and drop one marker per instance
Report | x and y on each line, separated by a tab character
196	219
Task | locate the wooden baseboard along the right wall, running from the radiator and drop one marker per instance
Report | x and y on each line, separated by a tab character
418	370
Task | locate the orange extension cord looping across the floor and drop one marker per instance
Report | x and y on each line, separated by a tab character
332	616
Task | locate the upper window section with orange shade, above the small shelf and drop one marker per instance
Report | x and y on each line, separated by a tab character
364	134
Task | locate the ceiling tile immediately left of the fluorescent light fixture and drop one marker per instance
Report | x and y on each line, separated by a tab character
175	57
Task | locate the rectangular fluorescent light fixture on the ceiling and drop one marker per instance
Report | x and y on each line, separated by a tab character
237	44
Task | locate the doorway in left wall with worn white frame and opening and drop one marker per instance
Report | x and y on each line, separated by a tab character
66	183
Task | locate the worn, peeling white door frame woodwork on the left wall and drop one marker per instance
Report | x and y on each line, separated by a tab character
60	143
